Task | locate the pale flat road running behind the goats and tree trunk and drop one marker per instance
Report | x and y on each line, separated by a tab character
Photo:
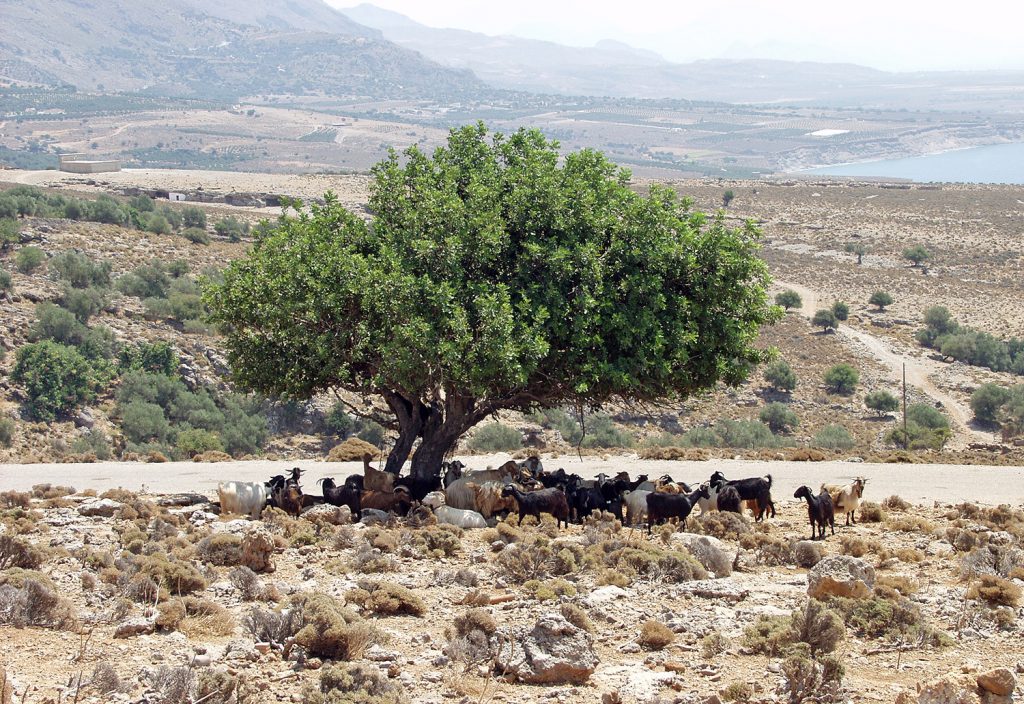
918	483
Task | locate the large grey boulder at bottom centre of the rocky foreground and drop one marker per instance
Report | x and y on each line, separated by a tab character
553	652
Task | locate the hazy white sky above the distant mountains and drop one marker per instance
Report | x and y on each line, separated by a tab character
895	35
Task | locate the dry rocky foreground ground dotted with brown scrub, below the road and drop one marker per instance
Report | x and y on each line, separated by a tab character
148	597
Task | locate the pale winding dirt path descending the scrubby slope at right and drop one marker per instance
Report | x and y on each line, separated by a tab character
919	372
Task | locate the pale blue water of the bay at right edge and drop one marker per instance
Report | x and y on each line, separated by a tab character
996	164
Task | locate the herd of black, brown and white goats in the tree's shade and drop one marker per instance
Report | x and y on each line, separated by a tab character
468	499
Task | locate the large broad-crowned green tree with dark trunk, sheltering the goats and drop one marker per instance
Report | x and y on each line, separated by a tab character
483	285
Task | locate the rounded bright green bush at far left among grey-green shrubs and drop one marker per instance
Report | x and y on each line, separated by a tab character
57	379
